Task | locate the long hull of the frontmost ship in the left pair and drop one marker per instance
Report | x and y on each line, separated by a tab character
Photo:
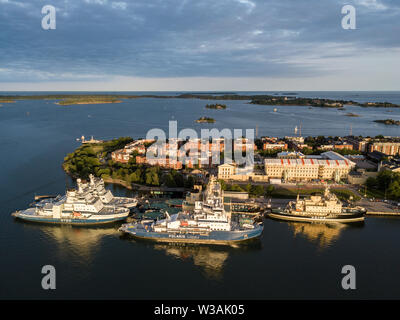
72	221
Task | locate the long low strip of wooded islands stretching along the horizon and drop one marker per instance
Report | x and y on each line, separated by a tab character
254	99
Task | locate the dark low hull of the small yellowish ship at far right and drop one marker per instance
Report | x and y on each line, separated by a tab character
345	218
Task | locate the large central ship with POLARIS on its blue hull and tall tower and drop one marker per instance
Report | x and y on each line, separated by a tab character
209	223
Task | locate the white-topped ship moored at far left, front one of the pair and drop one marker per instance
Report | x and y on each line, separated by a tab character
78	207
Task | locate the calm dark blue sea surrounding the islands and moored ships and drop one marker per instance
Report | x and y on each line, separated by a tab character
290	261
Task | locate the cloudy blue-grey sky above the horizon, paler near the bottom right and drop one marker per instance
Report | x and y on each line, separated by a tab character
186	45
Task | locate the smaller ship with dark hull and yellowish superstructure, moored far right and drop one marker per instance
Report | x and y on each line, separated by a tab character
324	208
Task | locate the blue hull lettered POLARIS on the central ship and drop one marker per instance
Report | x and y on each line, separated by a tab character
213	237
